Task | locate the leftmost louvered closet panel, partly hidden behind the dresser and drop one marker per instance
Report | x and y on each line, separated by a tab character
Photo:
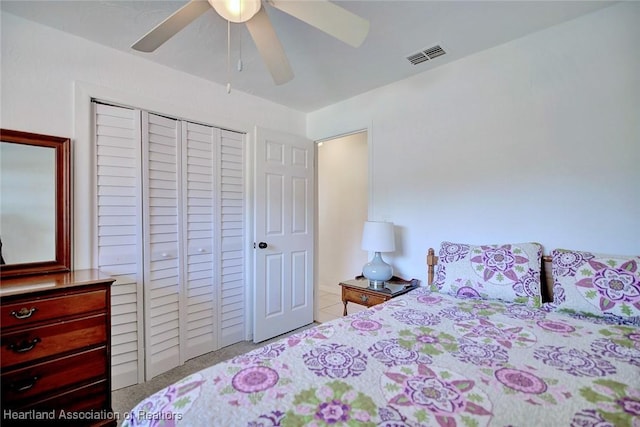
119	235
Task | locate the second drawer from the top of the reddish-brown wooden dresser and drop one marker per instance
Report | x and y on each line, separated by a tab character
49	340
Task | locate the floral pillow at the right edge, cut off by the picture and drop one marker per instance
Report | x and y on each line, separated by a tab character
596	284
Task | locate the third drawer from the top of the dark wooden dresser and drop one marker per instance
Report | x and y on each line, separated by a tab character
58	374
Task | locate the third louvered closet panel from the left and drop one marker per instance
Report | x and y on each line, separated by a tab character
199	153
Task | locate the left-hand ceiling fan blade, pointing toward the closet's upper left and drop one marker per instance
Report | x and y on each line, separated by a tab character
171	26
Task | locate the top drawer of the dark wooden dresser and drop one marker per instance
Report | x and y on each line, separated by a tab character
28	311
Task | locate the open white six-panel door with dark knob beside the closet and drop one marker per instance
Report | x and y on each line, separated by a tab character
284	208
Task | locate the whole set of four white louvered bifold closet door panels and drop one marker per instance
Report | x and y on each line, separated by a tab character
170	228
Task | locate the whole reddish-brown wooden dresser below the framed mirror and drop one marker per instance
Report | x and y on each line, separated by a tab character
56	349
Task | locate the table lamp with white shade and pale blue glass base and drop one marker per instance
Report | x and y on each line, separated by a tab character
378	237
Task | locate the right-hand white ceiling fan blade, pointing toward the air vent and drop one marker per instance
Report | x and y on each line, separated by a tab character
328	17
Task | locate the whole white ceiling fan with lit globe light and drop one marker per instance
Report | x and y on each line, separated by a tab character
322	14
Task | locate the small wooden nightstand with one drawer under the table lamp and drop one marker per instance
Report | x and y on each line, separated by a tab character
358	291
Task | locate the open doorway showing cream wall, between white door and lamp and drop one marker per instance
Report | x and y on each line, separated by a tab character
343	203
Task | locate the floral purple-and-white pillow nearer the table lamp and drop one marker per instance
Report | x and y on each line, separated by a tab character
509	272
